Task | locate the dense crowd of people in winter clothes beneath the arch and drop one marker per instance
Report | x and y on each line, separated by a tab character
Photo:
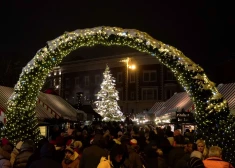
112	145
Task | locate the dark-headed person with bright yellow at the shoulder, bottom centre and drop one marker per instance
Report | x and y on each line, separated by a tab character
114	159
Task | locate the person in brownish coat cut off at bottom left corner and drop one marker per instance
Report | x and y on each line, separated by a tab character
5	155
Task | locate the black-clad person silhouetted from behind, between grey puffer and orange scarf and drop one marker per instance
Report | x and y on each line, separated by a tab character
47	158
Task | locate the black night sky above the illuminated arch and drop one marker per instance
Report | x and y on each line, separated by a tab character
203	30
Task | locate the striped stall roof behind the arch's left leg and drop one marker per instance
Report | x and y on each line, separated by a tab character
48	106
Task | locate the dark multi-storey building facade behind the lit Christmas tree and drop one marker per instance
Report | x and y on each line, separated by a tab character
138	89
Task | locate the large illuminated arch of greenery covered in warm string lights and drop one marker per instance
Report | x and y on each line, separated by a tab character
208	101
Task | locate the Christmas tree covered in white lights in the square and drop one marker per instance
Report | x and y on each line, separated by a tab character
107	99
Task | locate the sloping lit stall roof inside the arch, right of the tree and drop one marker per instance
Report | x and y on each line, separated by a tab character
177	102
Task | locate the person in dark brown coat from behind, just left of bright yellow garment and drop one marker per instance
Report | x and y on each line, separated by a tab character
91	156
